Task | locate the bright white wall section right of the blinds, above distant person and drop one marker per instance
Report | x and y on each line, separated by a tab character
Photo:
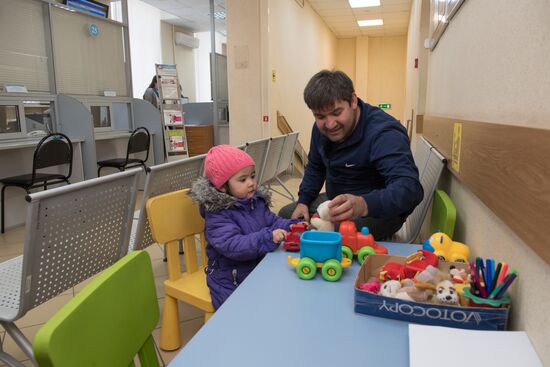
145	43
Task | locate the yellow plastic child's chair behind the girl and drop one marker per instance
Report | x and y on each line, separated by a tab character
174	217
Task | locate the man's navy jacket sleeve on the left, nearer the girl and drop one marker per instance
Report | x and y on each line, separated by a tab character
315	172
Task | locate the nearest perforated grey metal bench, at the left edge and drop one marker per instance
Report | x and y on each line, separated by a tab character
72	233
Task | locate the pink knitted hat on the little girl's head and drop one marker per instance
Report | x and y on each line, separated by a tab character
223	161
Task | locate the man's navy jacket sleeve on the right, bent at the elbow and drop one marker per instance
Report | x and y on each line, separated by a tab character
391	155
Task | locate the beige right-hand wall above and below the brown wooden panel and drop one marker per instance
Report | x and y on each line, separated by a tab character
493	66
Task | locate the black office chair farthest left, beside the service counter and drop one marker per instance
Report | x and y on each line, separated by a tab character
54	149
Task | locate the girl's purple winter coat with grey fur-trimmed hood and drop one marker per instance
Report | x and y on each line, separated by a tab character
238	233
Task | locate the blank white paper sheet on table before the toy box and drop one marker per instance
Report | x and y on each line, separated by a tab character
449	347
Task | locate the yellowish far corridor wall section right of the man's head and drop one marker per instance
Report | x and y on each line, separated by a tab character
386	74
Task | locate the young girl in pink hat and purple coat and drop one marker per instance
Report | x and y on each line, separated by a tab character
239	227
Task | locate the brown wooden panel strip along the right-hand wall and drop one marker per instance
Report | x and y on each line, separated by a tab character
508	168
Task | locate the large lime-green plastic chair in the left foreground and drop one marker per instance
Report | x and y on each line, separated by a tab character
107	323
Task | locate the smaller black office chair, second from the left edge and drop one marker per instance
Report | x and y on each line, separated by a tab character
139	142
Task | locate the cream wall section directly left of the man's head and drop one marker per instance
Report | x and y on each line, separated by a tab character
300	45
